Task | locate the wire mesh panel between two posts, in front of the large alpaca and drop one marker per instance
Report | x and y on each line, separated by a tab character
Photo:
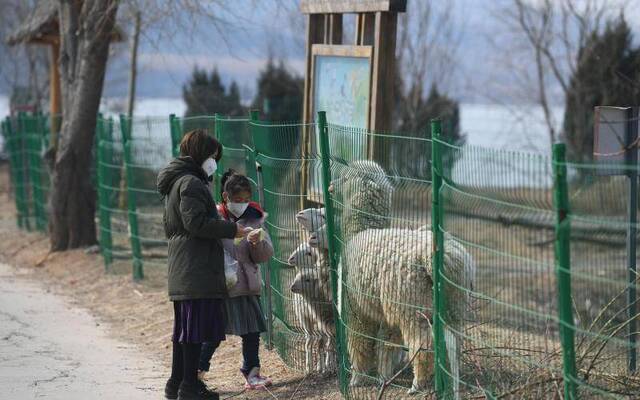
380	208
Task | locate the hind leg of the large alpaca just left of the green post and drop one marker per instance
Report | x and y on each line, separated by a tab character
417	336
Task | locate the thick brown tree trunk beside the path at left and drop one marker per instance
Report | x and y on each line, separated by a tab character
85	31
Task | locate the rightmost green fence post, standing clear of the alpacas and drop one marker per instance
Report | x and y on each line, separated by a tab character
563	269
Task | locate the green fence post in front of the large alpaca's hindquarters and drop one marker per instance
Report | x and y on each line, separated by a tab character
441	377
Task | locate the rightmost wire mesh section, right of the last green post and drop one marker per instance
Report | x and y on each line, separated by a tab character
604	281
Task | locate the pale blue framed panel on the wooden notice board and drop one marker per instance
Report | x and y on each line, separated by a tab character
341	86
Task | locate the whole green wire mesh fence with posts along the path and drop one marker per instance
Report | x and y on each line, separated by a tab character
461	272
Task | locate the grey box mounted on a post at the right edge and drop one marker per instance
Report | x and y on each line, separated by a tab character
613	133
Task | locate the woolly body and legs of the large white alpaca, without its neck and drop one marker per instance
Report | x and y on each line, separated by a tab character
389	276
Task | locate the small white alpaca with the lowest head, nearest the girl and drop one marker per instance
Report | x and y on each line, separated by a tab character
316	315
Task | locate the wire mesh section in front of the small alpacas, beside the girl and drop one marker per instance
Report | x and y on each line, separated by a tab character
296	290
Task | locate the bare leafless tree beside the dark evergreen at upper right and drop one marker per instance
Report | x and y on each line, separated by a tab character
549	33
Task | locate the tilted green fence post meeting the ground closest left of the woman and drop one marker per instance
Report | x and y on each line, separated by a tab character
136	249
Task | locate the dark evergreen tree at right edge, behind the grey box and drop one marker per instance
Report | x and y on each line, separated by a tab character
608	73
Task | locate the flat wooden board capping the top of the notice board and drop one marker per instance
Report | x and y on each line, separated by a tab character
351	6
